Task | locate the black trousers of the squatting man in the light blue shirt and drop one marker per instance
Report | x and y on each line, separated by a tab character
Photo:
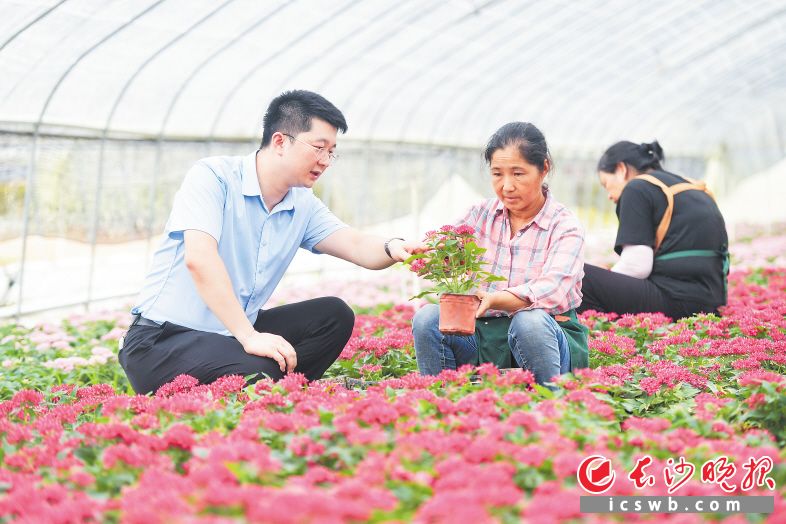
318	329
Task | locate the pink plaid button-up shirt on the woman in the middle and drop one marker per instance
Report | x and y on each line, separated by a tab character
543	262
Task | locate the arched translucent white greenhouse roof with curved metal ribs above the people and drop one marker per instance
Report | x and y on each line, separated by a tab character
694	73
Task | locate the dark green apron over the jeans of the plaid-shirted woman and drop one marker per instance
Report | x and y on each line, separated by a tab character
492	336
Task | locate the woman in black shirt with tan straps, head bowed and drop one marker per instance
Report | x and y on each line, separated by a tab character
671	240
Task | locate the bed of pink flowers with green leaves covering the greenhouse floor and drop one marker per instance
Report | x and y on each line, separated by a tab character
468	446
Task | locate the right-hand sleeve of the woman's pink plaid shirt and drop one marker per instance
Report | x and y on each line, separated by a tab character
558	287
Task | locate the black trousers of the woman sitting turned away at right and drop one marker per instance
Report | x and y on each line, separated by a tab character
611	292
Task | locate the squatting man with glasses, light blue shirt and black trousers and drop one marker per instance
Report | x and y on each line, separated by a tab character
235	226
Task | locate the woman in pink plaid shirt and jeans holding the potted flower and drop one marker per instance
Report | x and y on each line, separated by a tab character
536	244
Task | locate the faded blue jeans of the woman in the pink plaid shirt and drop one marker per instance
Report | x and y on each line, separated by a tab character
536	342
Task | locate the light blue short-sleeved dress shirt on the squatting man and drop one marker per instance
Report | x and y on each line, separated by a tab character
221	196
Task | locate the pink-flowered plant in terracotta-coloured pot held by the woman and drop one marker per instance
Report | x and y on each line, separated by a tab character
453	262
